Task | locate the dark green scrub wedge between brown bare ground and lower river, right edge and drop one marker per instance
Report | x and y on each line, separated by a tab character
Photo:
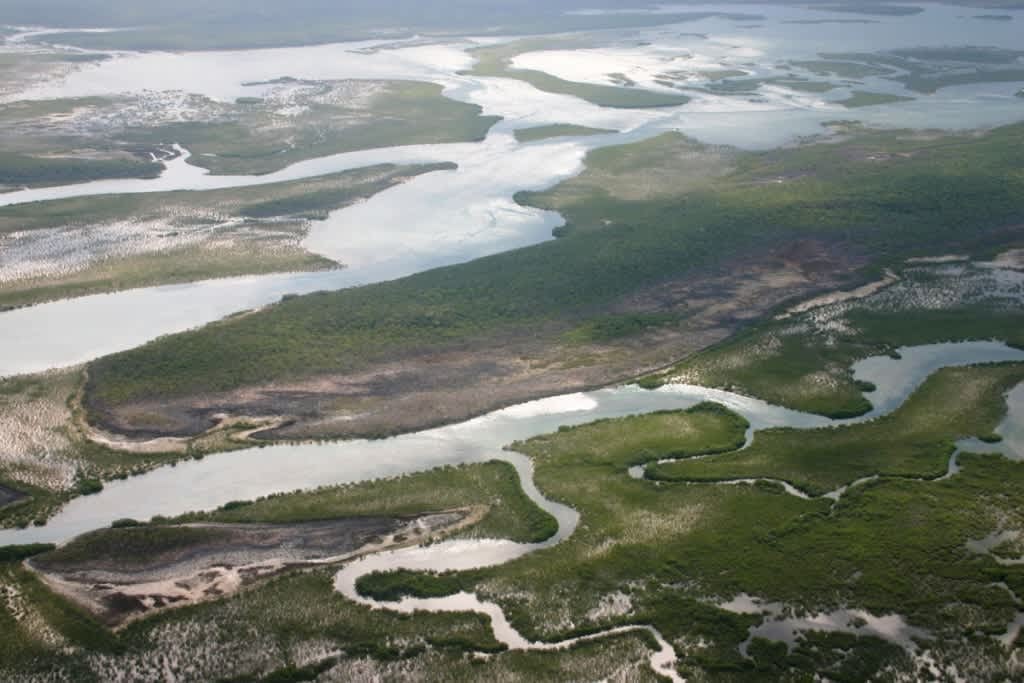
804	361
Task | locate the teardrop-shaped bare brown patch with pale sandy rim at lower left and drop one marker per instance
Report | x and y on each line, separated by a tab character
120	586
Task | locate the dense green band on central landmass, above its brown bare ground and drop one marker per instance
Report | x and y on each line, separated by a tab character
956	191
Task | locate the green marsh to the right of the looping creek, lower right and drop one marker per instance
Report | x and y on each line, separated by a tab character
897	546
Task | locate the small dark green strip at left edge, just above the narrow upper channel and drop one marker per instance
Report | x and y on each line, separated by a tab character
22	170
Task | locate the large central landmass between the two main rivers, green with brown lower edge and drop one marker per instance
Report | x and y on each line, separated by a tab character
639	263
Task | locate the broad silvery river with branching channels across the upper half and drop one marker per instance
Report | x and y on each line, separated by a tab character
450	218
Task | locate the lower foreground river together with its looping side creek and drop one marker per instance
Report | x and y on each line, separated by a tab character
251	474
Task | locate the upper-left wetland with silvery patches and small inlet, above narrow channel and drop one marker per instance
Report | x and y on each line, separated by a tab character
62	142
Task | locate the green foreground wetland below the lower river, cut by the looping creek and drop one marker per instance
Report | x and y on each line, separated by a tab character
648	551
